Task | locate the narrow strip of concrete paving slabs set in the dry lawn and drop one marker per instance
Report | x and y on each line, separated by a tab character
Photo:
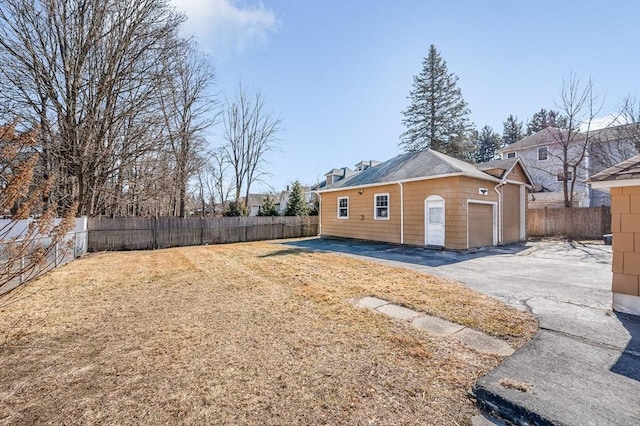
476	340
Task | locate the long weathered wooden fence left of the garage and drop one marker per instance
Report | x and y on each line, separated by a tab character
143	233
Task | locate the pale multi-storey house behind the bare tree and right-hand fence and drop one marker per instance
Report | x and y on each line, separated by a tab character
541	153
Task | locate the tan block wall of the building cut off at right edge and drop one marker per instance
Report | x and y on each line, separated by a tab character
625	226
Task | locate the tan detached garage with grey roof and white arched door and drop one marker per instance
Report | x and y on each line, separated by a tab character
429	199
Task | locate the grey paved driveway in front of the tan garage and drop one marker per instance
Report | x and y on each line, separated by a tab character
583	365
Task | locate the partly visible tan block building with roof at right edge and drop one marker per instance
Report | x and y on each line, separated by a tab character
623	182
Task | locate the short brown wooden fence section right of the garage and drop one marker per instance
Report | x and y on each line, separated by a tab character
573	222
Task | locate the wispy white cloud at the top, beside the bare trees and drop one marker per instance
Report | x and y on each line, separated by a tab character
227	26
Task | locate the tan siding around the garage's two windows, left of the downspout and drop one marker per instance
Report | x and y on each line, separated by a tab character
361	223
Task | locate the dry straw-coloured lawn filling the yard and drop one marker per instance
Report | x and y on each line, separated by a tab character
252	333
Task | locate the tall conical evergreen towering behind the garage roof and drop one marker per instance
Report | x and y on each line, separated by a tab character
437	117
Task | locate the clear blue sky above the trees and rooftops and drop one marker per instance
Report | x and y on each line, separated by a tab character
338	72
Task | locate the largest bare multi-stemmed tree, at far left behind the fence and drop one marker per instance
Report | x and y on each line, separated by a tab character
91	74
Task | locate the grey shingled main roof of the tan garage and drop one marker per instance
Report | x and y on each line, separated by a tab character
410	166
